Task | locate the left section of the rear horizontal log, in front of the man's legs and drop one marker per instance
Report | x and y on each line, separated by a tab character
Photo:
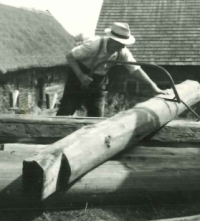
39	129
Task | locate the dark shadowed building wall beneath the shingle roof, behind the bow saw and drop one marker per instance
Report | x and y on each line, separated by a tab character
119	75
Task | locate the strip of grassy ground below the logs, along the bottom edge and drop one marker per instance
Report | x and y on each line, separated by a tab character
111	213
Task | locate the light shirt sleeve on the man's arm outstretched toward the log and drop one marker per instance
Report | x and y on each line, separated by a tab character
126	55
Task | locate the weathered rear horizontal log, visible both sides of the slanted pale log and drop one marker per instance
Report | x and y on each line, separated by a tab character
47	130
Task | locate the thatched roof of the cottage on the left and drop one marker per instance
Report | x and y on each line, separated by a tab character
30	39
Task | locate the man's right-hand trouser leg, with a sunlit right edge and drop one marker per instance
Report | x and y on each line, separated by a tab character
95	103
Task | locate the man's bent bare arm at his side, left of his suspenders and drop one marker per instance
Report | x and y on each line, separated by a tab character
83	78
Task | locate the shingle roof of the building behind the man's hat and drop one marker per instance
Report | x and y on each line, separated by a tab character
167	32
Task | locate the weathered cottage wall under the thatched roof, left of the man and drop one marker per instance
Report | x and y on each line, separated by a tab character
33	86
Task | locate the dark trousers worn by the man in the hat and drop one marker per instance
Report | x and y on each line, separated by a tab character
93	97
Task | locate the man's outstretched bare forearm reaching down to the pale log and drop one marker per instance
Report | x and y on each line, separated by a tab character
140	75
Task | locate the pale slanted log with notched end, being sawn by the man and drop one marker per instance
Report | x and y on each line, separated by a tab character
90	146
